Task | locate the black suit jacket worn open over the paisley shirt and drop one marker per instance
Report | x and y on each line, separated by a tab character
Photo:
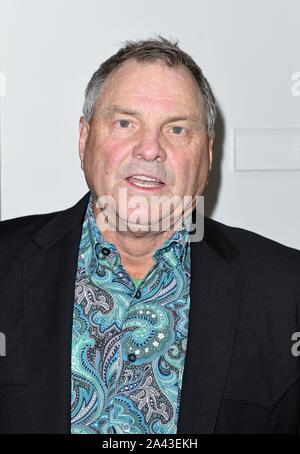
240	375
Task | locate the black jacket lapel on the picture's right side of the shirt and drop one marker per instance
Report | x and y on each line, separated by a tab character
215	296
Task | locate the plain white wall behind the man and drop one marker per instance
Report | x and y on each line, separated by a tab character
249	51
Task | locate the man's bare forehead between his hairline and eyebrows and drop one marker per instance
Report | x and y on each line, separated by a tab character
125	91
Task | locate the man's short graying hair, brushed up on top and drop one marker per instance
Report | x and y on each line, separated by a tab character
155	49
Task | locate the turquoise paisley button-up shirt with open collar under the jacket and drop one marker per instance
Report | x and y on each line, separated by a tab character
128	342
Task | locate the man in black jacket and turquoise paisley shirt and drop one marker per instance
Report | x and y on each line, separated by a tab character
139	329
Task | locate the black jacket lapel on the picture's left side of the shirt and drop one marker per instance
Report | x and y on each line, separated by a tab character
49	285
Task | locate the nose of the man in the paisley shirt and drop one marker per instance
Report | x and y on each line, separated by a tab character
149	148
